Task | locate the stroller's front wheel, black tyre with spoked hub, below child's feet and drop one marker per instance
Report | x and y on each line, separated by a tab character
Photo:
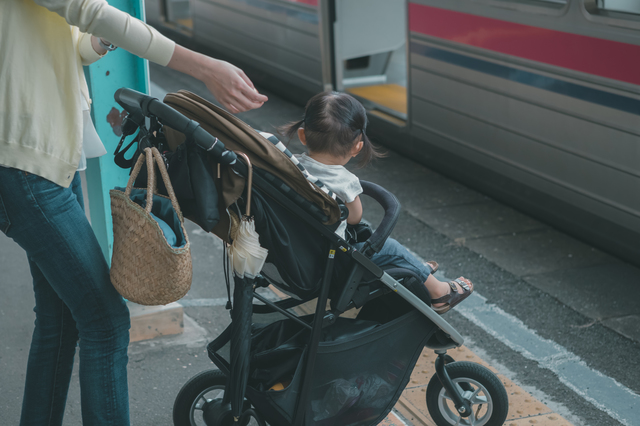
477	384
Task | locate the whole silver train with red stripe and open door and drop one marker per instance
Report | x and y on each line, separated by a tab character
535	103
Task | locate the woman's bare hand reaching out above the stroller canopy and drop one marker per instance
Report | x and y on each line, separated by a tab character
228	83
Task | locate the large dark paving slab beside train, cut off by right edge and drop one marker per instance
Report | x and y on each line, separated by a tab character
584	289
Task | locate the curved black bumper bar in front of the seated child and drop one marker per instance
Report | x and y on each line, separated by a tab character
391	207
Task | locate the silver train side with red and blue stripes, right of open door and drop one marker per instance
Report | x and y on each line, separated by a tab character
526	105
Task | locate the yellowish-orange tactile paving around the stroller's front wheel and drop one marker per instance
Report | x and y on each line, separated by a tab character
524	409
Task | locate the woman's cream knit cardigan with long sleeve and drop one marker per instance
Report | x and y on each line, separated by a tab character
43	46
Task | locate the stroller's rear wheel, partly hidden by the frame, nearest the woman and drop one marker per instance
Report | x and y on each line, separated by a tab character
195	400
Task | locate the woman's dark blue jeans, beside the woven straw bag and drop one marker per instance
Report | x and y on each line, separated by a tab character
75	300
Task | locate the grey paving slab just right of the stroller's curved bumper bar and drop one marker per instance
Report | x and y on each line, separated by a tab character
482	219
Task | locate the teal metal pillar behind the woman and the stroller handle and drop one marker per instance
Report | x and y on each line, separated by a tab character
117	69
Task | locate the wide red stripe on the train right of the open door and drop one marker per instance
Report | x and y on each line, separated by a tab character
605	58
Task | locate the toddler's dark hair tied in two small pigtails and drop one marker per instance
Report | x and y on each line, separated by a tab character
333	122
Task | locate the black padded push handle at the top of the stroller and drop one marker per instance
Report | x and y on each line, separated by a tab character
136	104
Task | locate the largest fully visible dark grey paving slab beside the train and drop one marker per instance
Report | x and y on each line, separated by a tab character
538	252
